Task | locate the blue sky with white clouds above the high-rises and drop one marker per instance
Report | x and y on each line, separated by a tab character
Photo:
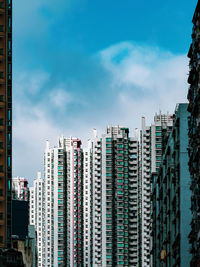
84	64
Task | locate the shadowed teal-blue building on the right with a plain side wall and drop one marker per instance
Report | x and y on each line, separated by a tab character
171	198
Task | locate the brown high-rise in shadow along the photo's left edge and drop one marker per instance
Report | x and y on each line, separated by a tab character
5	122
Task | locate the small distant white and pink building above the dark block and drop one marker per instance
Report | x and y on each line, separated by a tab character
20	188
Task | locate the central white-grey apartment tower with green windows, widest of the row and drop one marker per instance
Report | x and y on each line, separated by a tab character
112	179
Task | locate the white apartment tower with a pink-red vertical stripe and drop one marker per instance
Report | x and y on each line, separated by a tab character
63	204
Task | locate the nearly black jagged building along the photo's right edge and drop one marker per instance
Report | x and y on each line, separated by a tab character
194	138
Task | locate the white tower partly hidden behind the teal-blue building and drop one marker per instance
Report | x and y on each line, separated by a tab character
150	158
